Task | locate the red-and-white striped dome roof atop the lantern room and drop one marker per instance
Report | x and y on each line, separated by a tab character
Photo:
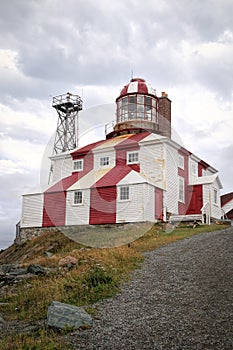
137	85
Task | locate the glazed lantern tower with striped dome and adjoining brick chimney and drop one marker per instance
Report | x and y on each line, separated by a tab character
138	108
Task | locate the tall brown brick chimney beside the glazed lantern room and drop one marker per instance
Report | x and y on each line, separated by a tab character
165	115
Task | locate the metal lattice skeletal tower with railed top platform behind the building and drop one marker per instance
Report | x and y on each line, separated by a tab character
67	107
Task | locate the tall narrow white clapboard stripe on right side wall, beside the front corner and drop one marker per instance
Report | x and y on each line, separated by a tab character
171	194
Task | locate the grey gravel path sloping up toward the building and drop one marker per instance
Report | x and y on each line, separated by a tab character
181	298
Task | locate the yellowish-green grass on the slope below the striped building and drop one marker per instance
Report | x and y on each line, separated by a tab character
99	274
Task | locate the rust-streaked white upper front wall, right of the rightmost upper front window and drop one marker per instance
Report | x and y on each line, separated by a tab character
152	163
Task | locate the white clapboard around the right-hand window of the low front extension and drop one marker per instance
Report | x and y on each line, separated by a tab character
134	209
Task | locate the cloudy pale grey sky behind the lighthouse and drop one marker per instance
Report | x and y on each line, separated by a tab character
93	48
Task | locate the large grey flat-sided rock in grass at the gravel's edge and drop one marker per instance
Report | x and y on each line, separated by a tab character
64	316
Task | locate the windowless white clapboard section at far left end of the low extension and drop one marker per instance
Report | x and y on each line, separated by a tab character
32	210
